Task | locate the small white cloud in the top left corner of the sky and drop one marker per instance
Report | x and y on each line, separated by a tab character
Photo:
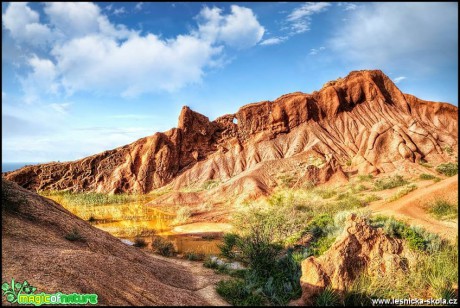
23	24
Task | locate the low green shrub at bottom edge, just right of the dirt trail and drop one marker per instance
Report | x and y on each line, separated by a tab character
236	293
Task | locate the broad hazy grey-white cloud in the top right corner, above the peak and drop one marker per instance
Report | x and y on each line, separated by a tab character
391	35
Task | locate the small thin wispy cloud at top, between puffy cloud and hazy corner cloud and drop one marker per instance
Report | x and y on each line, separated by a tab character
300	18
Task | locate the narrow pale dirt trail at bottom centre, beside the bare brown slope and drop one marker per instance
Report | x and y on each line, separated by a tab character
205	278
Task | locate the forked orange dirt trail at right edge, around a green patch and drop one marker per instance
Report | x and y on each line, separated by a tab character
410	208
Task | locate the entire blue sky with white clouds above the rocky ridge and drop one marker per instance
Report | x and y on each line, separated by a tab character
81	78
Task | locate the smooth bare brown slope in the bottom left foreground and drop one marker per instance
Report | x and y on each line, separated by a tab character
34	248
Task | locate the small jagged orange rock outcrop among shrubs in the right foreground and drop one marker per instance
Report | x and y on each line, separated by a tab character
359	248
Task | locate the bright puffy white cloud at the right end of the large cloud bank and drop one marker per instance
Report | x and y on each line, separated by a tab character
240	29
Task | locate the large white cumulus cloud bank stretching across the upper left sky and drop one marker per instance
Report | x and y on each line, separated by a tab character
89	53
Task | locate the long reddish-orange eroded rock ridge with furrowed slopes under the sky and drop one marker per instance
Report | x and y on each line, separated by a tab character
362	121
